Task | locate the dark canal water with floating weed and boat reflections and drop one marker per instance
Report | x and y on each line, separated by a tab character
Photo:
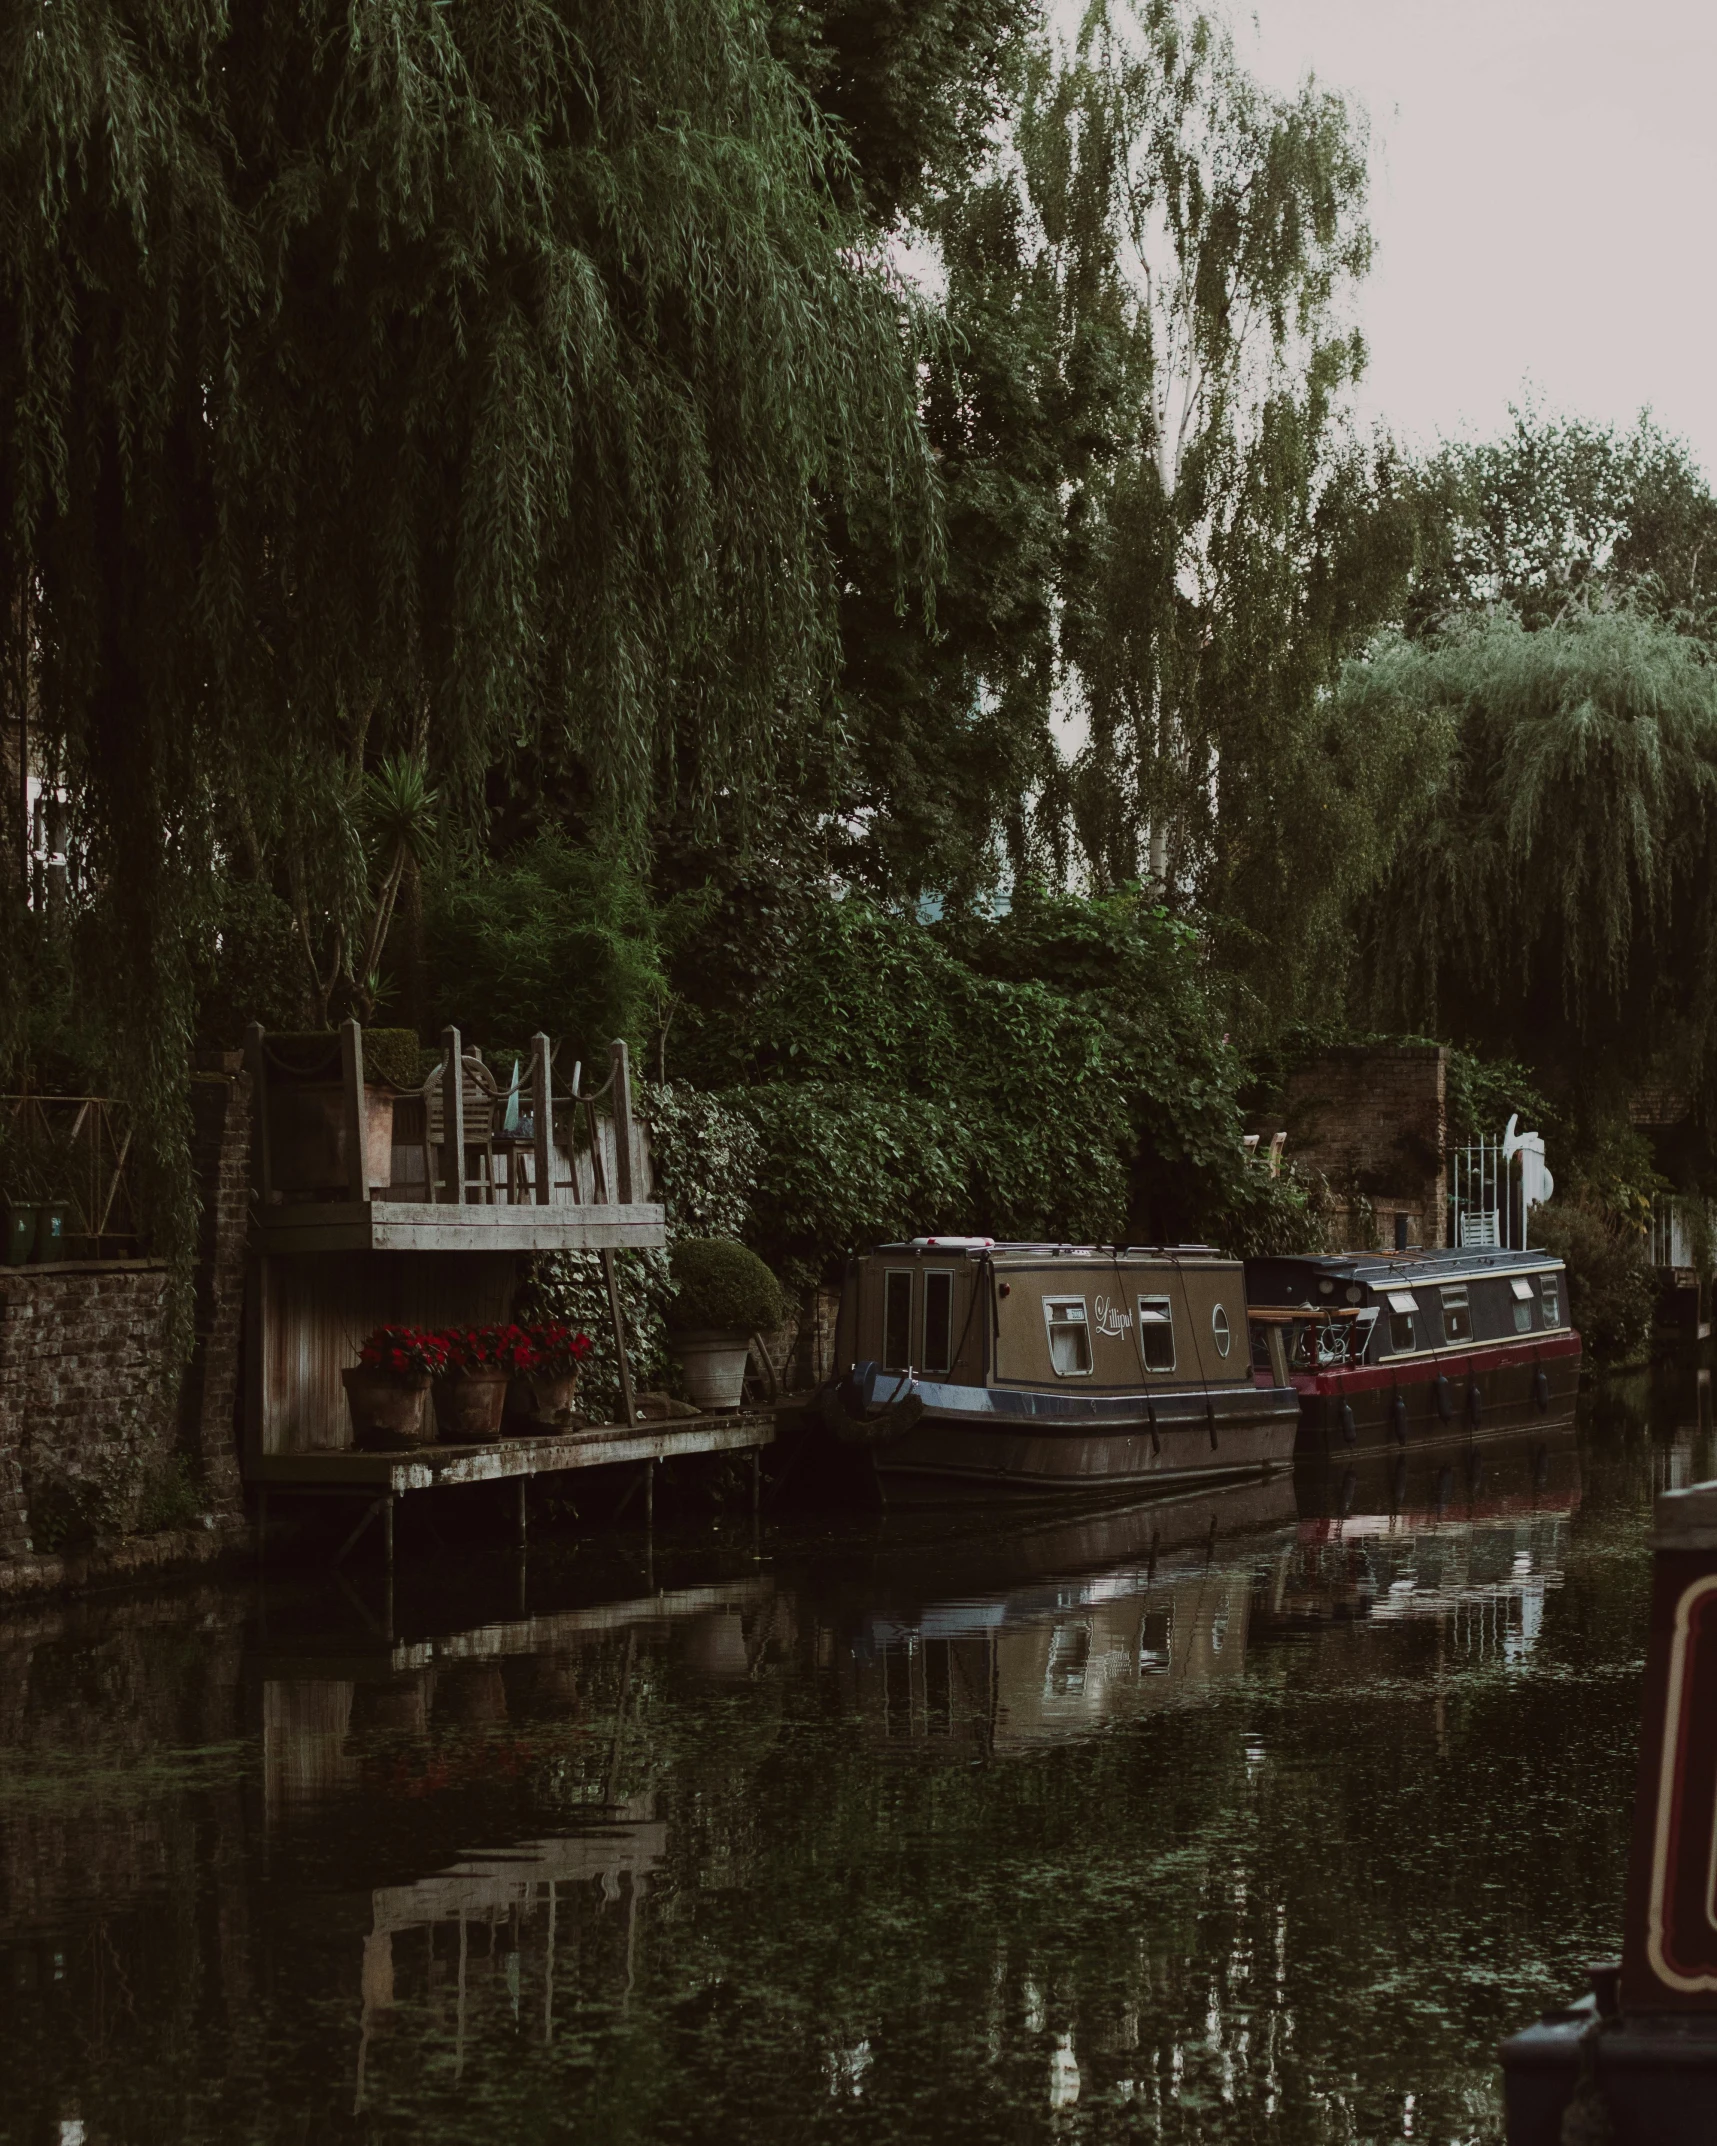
1257	1817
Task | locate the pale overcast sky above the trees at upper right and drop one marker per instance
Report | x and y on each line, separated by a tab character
1544	199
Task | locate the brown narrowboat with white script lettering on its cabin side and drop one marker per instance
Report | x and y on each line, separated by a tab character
1051	1370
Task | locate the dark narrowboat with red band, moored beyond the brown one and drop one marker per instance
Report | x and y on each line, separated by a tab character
1398	1351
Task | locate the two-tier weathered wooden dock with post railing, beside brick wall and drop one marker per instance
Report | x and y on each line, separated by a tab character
381	1207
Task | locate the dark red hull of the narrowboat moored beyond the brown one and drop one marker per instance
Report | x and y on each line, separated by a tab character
1495	1390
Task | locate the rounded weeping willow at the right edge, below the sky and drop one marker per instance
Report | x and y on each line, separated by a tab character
1555	896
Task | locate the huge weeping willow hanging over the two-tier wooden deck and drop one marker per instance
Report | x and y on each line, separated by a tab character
409	381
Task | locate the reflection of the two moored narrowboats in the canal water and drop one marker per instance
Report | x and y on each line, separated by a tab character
1070	1630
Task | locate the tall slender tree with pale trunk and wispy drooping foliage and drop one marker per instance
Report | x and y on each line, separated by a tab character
1220	578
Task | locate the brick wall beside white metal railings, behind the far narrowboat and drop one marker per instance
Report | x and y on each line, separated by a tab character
1375	1123
